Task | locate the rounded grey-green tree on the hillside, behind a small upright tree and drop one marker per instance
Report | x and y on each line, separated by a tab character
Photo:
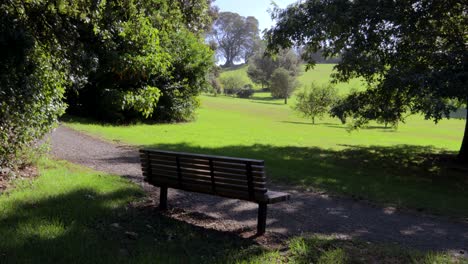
261	66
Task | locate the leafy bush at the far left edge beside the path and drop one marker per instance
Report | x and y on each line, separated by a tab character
32	85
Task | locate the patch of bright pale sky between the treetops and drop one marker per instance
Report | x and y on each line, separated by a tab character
256	8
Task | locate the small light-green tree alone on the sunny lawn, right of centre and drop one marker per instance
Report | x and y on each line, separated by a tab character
315	101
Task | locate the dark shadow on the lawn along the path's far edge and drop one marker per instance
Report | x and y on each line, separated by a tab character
419	177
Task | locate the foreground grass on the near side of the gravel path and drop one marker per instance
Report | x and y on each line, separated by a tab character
70	214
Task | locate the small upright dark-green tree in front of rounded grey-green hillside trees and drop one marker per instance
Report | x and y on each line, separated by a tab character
282	84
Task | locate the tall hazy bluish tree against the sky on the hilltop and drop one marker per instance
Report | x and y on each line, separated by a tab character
236	36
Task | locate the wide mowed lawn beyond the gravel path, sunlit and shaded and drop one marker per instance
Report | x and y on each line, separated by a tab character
393	167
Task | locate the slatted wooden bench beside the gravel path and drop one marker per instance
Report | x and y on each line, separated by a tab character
222	176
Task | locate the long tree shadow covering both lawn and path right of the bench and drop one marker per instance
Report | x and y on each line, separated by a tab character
403	176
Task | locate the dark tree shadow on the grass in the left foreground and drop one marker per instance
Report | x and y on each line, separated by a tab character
83	226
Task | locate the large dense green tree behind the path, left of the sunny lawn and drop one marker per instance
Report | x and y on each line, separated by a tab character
145	52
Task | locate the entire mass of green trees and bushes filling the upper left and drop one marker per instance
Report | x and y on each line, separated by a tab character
115	60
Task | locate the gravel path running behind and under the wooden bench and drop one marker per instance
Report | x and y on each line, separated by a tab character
306	212
